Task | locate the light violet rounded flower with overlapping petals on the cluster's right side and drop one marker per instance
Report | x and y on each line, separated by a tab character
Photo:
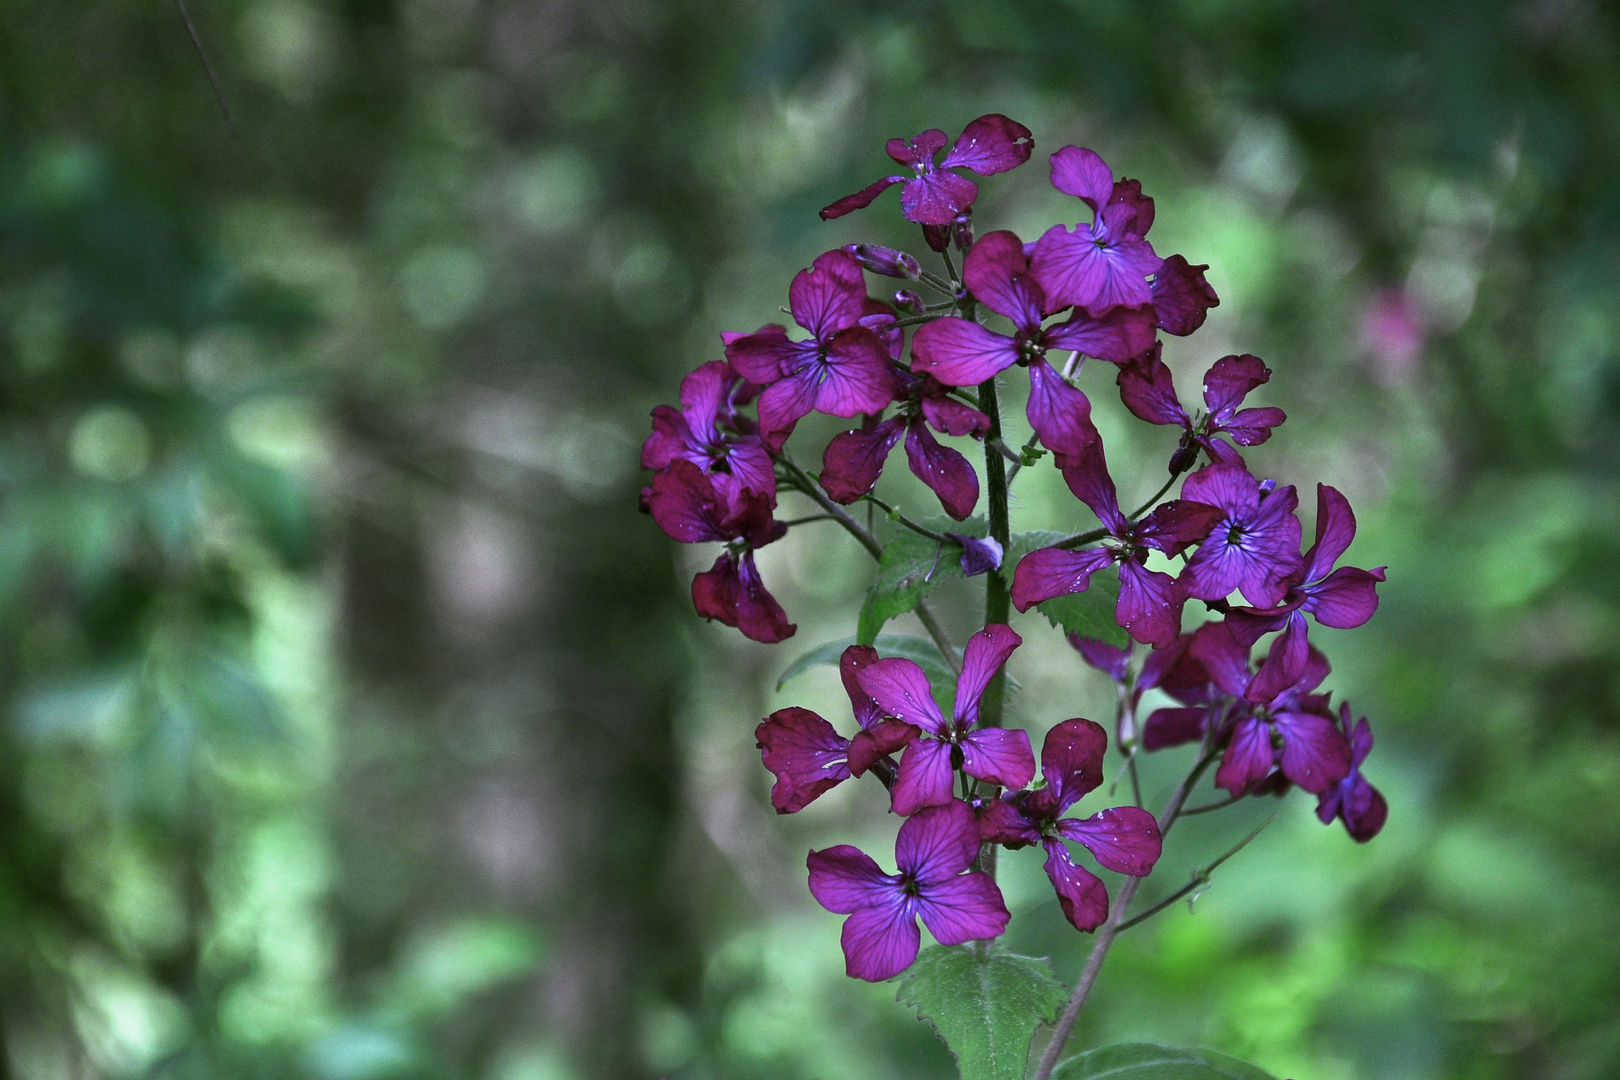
1255	548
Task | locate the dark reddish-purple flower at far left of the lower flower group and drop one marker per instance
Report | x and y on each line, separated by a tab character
809	757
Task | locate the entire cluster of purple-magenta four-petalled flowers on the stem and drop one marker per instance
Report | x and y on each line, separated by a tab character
916	372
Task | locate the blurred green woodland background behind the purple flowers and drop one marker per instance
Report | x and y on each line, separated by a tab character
357	728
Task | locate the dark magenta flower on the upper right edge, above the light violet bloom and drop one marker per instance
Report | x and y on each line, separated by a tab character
1148	389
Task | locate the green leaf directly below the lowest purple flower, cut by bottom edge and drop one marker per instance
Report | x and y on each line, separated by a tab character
984	1005
